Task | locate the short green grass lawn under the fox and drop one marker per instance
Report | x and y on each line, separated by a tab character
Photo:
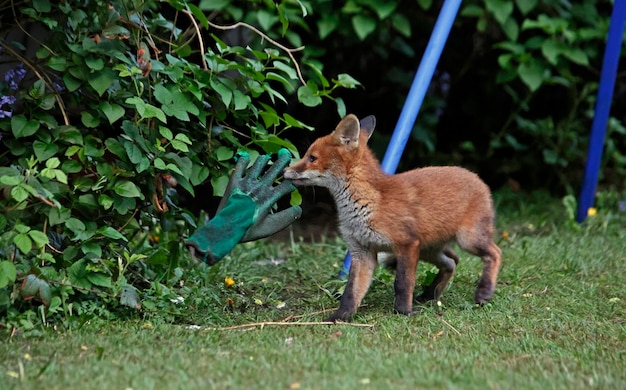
557	321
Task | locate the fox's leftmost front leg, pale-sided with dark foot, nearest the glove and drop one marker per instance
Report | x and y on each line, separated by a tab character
359	279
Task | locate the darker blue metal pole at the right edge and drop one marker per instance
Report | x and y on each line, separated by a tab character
603	106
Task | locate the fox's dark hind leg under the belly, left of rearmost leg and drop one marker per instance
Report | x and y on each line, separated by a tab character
446	260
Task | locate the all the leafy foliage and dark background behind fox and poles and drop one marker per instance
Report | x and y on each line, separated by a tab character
119	119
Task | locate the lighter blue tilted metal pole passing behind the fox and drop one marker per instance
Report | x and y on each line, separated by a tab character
415	98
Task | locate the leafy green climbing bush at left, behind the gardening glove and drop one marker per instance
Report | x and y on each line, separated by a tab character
120	108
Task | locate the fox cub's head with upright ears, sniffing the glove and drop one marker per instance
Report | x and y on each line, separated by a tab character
331	157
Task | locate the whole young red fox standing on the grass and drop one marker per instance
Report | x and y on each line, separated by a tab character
414	215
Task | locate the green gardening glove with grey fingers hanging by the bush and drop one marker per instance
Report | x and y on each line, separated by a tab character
244	214
